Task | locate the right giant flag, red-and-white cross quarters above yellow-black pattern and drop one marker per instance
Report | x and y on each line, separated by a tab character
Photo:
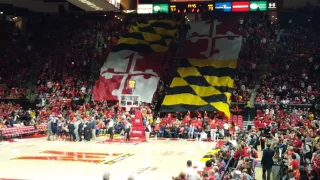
204	80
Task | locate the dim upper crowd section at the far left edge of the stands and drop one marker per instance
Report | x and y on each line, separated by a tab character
14	62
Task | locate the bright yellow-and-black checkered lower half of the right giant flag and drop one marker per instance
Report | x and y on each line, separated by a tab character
203	85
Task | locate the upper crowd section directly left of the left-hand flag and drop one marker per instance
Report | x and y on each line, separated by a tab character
67	58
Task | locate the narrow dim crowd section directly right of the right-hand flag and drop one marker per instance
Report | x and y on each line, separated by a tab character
254	31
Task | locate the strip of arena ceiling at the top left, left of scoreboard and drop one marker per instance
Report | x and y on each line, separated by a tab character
45	5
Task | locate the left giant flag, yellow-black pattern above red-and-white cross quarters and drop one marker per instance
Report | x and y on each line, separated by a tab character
138	56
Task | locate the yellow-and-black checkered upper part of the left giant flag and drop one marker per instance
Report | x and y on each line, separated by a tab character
156	36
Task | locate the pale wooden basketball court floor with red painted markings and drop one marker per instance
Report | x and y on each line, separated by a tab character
39	159
